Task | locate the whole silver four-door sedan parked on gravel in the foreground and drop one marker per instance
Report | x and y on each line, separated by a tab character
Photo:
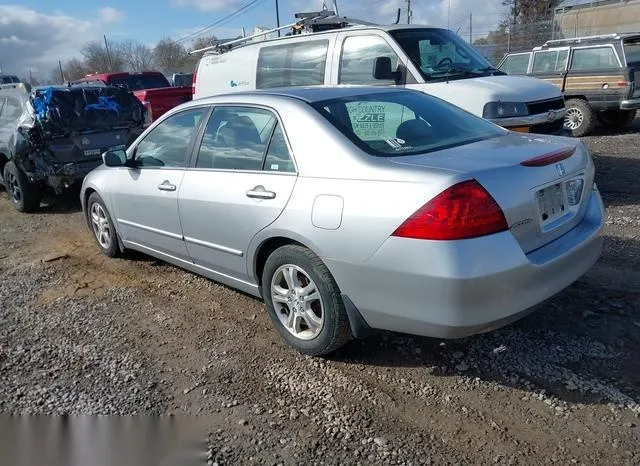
355	208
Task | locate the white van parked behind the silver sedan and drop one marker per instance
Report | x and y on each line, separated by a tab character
433	60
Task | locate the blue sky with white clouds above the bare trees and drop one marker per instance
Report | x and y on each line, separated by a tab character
35	34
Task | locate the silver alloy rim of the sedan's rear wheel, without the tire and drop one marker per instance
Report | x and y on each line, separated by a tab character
297	302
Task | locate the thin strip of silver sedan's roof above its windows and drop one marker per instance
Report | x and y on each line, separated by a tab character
312	94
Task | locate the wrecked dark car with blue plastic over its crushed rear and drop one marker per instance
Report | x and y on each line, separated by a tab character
52	137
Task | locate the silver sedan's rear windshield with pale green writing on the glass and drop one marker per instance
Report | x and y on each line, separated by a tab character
404	123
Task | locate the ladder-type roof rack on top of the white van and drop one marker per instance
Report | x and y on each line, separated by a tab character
308	23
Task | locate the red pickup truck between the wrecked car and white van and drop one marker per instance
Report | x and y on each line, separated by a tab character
150	87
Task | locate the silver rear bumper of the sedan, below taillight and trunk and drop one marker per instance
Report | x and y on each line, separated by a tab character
457	289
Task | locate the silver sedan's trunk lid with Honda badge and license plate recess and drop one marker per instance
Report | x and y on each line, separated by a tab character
542	184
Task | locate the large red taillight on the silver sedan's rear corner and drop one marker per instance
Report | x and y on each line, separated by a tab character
465	210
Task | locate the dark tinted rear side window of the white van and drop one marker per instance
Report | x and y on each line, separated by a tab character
295	64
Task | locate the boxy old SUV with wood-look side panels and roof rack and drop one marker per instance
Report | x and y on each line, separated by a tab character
599	76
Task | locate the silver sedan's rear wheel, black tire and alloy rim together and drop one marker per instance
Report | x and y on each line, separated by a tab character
304	301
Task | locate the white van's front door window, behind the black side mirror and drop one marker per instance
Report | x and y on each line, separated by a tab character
358	55
